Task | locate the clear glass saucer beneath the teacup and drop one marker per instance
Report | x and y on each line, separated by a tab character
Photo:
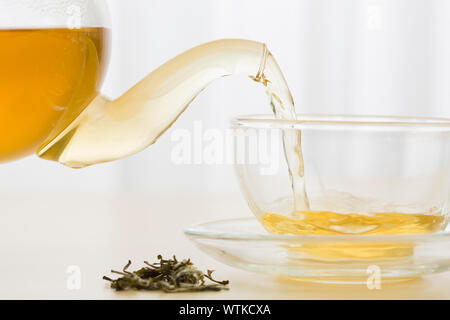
245	244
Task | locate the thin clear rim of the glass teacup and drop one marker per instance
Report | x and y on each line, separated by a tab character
342	121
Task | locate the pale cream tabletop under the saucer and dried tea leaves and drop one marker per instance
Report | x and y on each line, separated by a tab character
42	235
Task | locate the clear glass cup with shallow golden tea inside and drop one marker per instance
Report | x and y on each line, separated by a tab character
363	175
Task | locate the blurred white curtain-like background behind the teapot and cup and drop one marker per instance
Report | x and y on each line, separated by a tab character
349	56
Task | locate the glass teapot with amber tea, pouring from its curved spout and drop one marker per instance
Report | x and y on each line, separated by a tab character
53	58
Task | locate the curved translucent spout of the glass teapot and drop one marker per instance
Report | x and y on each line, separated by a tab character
111	129
